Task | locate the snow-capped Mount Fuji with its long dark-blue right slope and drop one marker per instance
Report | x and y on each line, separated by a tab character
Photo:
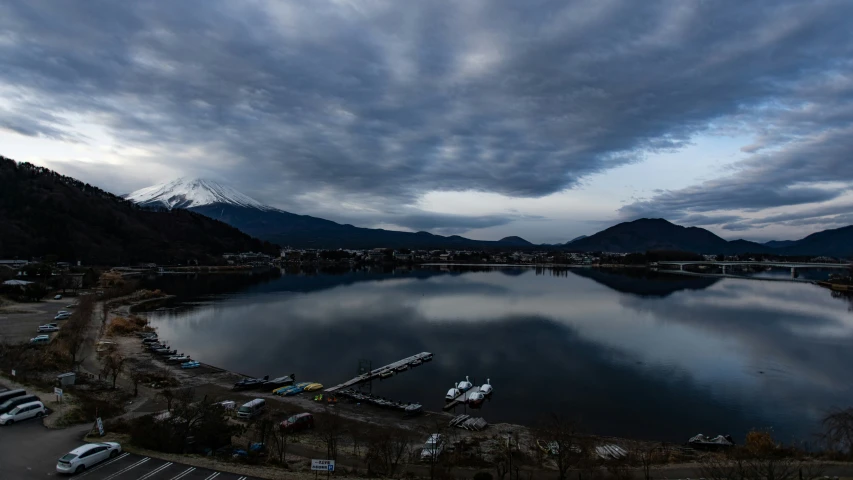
226	204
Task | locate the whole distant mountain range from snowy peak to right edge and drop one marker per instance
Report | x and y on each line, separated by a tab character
284	228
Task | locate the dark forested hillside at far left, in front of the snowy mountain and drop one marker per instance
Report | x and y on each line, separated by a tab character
44	213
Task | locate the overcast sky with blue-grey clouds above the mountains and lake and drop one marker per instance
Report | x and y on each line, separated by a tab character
544	119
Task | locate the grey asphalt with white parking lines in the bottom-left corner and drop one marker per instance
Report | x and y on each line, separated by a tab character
29	451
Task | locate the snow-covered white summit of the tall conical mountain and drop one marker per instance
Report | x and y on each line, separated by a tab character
192	192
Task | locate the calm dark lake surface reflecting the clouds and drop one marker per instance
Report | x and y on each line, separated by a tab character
632	354
